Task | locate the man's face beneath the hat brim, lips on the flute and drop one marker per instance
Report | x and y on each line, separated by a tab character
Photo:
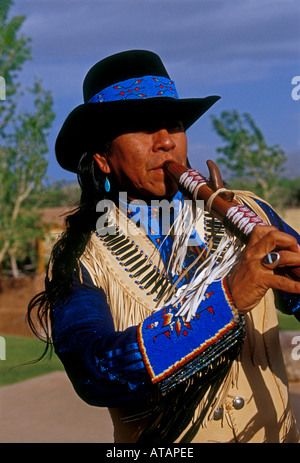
137	158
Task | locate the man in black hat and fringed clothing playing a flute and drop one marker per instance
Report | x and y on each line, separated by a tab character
117	285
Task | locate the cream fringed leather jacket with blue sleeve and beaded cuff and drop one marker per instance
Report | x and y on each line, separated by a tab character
117	346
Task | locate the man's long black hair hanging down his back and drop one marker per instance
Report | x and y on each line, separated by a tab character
66	252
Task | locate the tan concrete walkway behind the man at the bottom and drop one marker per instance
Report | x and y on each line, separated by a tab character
47	410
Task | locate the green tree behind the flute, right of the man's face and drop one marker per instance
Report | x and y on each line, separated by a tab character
246	155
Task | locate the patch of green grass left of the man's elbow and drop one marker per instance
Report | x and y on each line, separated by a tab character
20	353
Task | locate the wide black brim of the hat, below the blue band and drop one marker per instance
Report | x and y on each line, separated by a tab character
90	124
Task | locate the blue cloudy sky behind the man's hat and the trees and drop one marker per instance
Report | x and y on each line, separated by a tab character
246	51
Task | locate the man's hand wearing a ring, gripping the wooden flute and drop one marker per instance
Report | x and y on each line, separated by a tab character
250	279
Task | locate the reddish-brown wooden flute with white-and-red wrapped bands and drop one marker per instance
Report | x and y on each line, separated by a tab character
237	218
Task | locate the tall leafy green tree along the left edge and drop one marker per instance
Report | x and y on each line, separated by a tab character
23	145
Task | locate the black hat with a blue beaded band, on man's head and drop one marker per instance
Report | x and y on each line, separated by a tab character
123	92
